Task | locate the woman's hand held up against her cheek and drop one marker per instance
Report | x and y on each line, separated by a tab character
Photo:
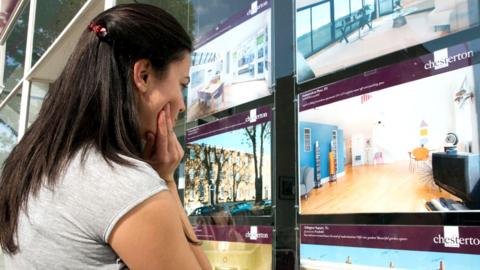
163	151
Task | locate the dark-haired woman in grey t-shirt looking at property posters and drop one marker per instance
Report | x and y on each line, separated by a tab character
80	191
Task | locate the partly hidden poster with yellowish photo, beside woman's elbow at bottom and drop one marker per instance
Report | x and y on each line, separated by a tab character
237	247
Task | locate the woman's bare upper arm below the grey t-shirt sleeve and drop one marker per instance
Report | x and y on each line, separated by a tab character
151	236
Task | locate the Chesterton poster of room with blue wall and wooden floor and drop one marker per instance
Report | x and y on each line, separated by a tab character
401	138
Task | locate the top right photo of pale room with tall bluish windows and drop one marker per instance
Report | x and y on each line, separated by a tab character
335	34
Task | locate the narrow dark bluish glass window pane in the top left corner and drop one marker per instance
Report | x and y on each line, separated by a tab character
15	52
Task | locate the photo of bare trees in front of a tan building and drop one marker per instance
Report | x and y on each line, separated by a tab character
216	174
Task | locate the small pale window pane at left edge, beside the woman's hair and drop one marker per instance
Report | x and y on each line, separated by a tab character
9	116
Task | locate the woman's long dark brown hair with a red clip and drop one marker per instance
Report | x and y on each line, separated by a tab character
91	104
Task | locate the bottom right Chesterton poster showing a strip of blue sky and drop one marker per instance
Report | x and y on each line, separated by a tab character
362	247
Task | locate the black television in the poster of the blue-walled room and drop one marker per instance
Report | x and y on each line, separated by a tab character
458	174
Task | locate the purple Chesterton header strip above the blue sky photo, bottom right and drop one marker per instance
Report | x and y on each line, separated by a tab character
420	238
